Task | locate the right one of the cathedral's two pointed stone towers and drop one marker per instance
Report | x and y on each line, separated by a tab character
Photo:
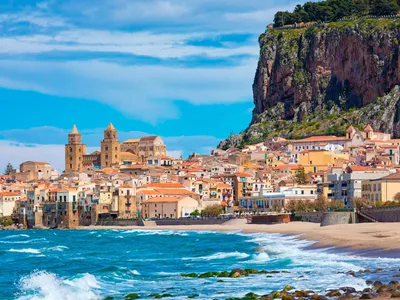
110	148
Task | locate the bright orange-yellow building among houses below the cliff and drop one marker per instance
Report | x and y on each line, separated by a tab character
319	160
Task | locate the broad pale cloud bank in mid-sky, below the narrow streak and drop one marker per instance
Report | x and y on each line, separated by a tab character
144	92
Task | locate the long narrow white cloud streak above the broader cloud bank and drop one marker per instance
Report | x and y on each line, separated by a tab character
163	46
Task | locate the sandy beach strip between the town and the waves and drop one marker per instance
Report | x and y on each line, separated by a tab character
385	236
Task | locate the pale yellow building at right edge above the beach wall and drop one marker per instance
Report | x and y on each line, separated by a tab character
383	189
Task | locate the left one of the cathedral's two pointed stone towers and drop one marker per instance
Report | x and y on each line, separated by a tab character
74	151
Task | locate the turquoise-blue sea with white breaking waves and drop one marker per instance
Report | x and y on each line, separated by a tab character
84	264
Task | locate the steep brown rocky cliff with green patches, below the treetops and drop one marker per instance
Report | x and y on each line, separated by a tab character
321	79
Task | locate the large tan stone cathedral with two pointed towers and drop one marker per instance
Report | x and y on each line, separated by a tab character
112	153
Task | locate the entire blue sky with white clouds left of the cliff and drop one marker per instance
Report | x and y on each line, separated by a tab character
181	69
